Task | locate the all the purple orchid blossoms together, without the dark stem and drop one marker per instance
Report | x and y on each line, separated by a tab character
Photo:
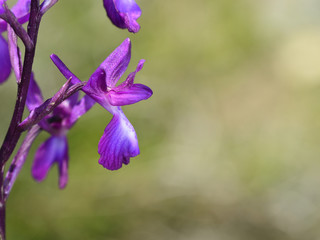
119	141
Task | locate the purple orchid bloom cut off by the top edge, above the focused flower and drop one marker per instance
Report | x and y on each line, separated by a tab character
123	13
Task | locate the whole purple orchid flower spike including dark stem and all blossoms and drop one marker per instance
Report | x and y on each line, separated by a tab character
58	114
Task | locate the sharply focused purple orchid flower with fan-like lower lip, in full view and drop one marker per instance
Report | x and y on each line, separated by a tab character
119	142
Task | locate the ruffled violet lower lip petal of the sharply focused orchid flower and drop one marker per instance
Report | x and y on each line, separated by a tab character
118	143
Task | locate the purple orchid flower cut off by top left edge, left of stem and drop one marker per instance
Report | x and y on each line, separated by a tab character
21	11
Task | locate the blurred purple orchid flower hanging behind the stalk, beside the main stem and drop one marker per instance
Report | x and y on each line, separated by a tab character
55	148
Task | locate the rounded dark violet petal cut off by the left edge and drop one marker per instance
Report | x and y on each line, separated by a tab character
5	65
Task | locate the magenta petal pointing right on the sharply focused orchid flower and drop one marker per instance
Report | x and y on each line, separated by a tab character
135	93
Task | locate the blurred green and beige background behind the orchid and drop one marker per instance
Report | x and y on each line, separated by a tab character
229	141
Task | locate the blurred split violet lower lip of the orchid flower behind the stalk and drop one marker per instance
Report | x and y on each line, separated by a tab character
55	149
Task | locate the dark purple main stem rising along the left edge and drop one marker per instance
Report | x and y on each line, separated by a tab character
13	133
